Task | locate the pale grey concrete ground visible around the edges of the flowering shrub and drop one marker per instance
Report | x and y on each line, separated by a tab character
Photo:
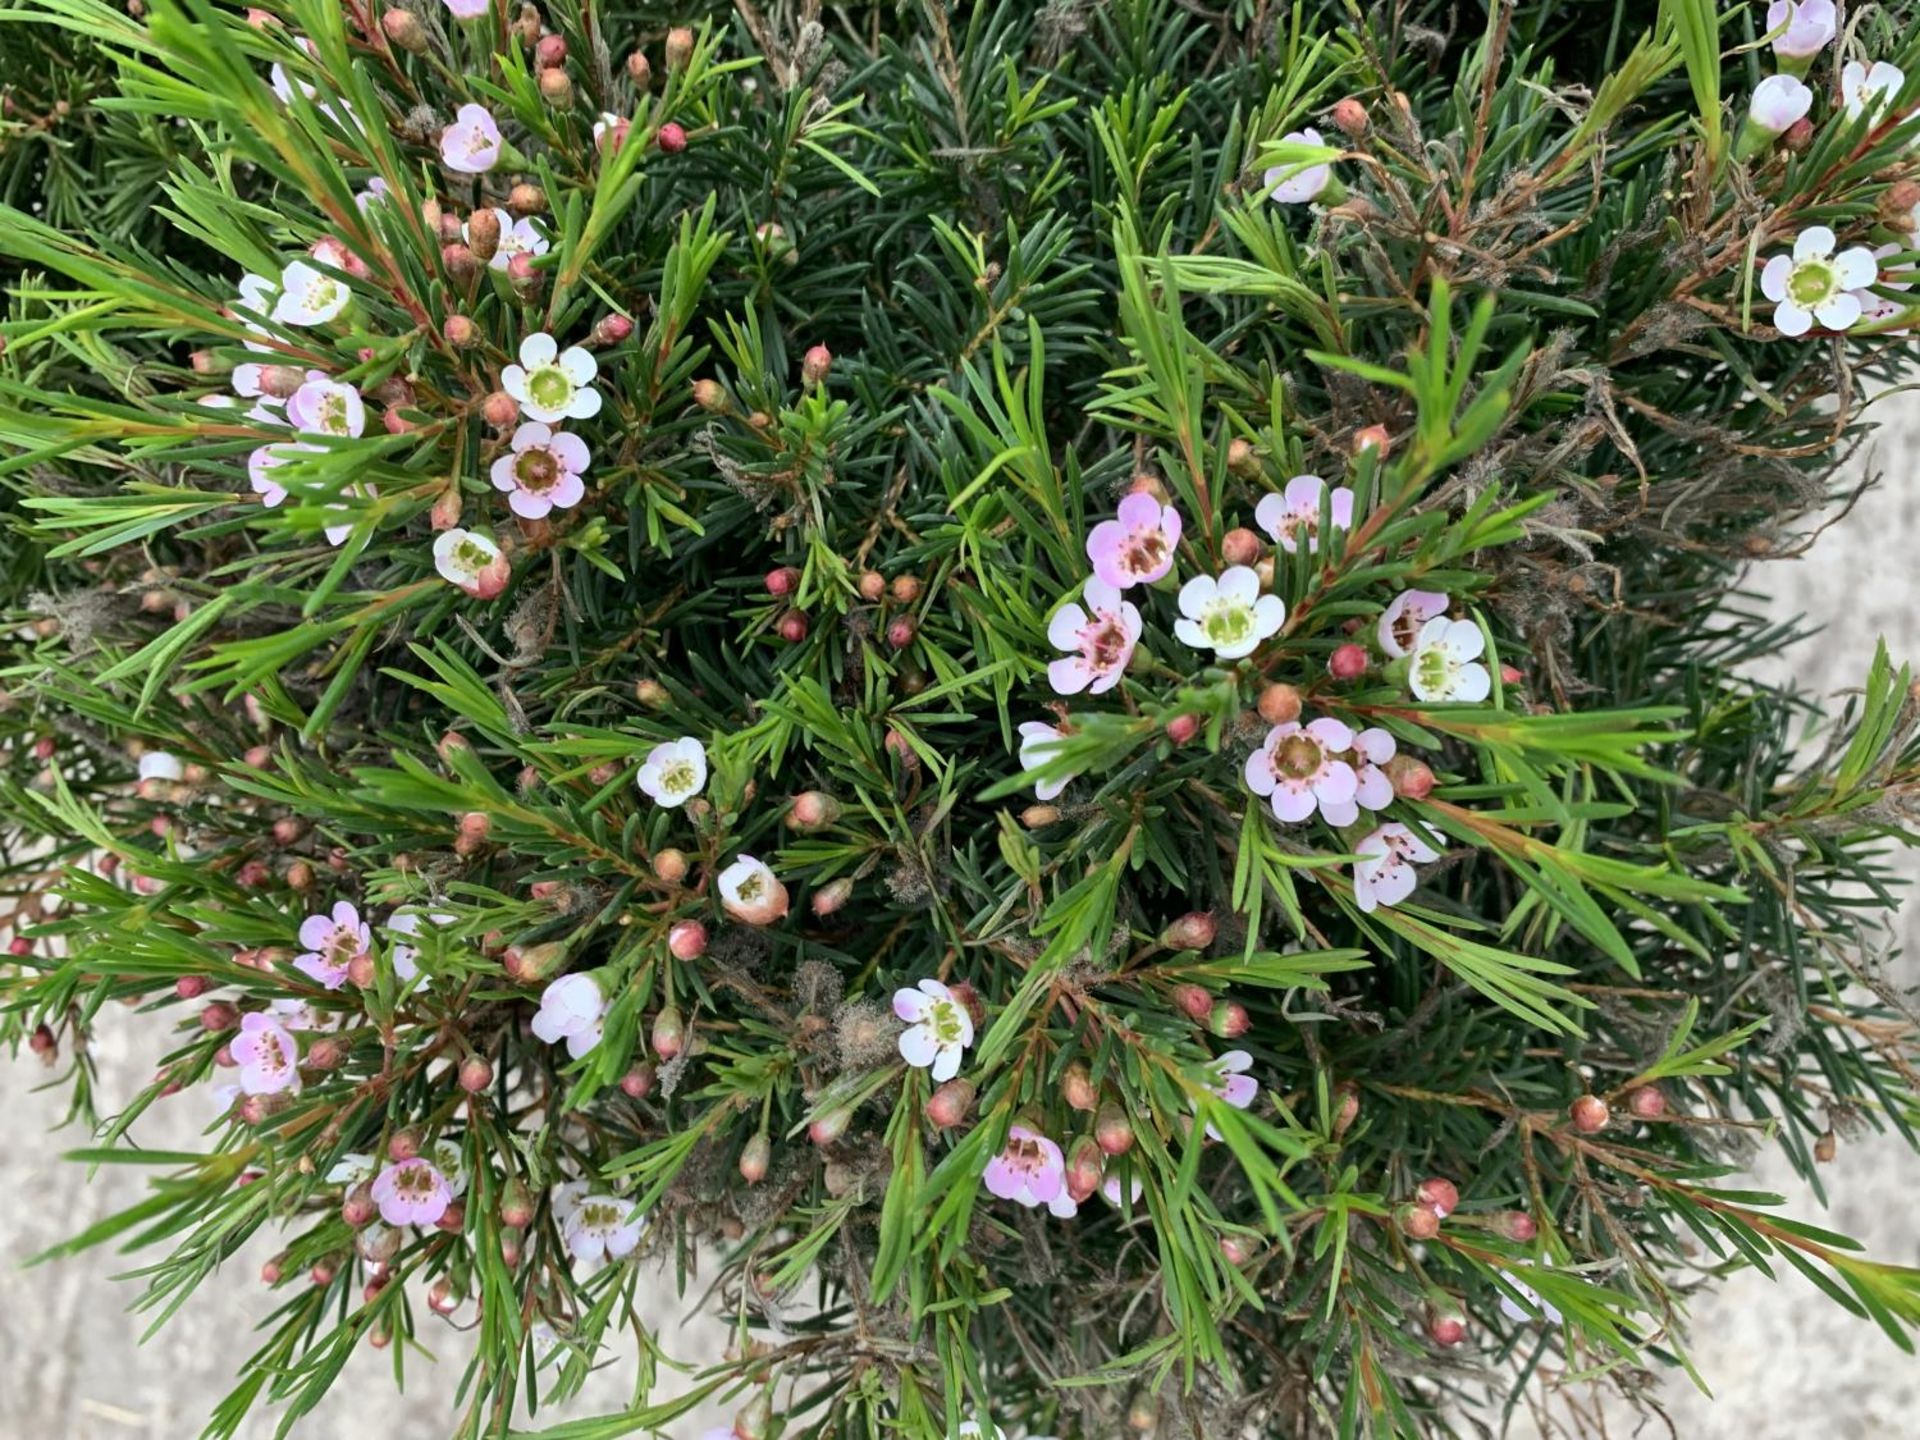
1783	1360
